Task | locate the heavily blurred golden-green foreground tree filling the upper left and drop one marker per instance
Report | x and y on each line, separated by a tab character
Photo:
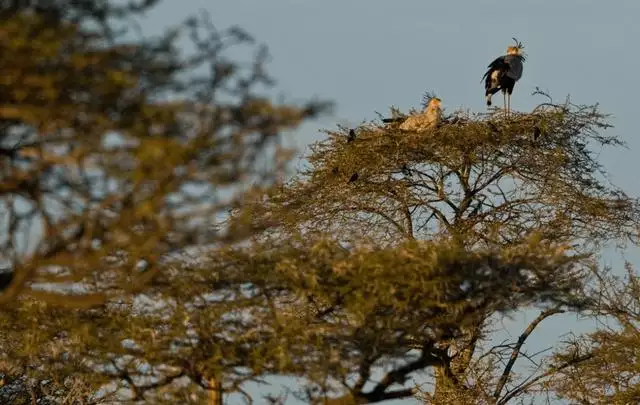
112	145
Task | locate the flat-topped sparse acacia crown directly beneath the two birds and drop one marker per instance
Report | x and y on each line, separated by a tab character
492	178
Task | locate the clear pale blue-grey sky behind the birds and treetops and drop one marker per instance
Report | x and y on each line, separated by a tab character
369	54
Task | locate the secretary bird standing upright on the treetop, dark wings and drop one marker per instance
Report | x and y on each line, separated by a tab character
503	74
